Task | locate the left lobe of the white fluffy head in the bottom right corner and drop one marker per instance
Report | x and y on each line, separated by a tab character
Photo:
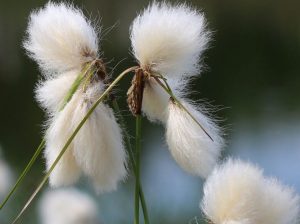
232	193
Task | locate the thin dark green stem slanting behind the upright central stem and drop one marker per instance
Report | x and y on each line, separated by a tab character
131	157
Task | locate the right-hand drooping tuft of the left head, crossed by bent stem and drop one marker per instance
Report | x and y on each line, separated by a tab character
98	147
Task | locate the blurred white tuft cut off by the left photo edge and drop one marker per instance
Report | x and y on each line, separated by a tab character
6	176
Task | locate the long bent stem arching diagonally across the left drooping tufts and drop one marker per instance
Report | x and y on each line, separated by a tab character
88	114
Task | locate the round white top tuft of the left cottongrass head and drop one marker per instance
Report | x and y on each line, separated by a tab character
60	38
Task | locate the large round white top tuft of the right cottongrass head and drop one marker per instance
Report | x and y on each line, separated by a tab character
170	39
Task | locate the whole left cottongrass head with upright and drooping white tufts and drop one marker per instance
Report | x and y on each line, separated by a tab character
63	42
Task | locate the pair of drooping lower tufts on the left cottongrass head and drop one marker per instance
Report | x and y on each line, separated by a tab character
97	149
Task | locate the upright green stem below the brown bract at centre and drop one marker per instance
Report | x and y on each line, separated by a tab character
137	170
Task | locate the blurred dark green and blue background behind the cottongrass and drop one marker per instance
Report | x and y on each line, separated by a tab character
253	73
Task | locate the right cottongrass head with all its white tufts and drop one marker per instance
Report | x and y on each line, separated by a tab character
168	42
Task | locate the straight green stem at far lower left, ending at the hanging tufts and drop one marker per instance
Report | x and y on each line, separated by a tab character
25	171
